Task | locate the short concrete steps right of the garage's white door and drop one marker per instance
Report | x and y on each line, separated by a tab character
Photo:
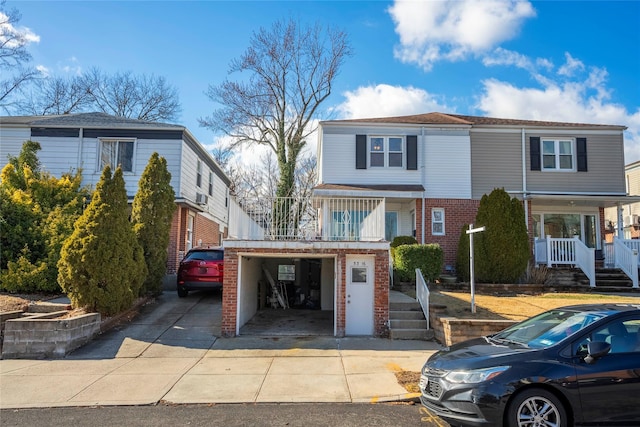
406	320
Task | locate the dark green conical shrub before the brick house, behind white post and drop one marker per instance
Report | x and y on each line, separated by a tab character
501	252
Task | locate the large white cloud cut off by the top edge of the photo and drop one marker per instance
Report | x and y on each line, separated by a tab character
452	30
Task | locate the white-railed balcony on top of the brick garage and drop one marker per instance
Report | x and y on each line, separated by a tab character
318	218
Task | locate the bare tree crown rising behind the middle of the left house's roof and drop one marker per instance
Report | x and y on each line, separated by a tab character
143	97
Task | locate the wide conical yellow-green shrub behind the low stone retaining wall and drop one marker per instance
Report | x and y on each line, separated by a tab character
101	265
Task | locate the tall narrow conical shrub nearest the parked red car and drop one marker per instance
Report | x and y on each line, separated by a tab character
152	212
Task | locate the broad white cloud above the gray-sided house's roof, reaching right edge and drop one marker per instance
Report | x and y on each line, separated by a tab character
583	99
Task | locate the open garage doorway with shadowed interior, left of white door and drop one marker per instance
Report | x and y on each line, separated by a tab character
286	296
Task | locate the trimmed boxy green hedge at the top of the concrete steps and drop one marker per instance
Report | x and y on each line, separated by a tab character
428	258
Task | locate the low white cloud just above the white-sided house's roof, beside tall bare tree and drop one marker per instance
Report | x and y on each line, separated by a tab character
387	101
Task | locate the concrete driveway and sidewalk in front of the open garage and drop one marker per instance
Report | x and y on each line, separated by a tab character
171	353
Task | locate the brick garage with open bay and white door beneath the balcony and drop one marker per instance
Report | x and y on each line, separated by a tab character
305	288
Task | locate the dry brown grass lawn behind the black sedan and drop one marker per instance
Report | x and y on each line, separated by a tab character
517	307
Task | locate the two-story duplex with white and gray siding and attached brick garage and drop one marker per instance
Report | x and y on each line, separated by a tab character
424	175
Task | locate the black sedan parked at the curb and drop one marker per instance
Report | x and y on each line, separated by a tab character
577	365
